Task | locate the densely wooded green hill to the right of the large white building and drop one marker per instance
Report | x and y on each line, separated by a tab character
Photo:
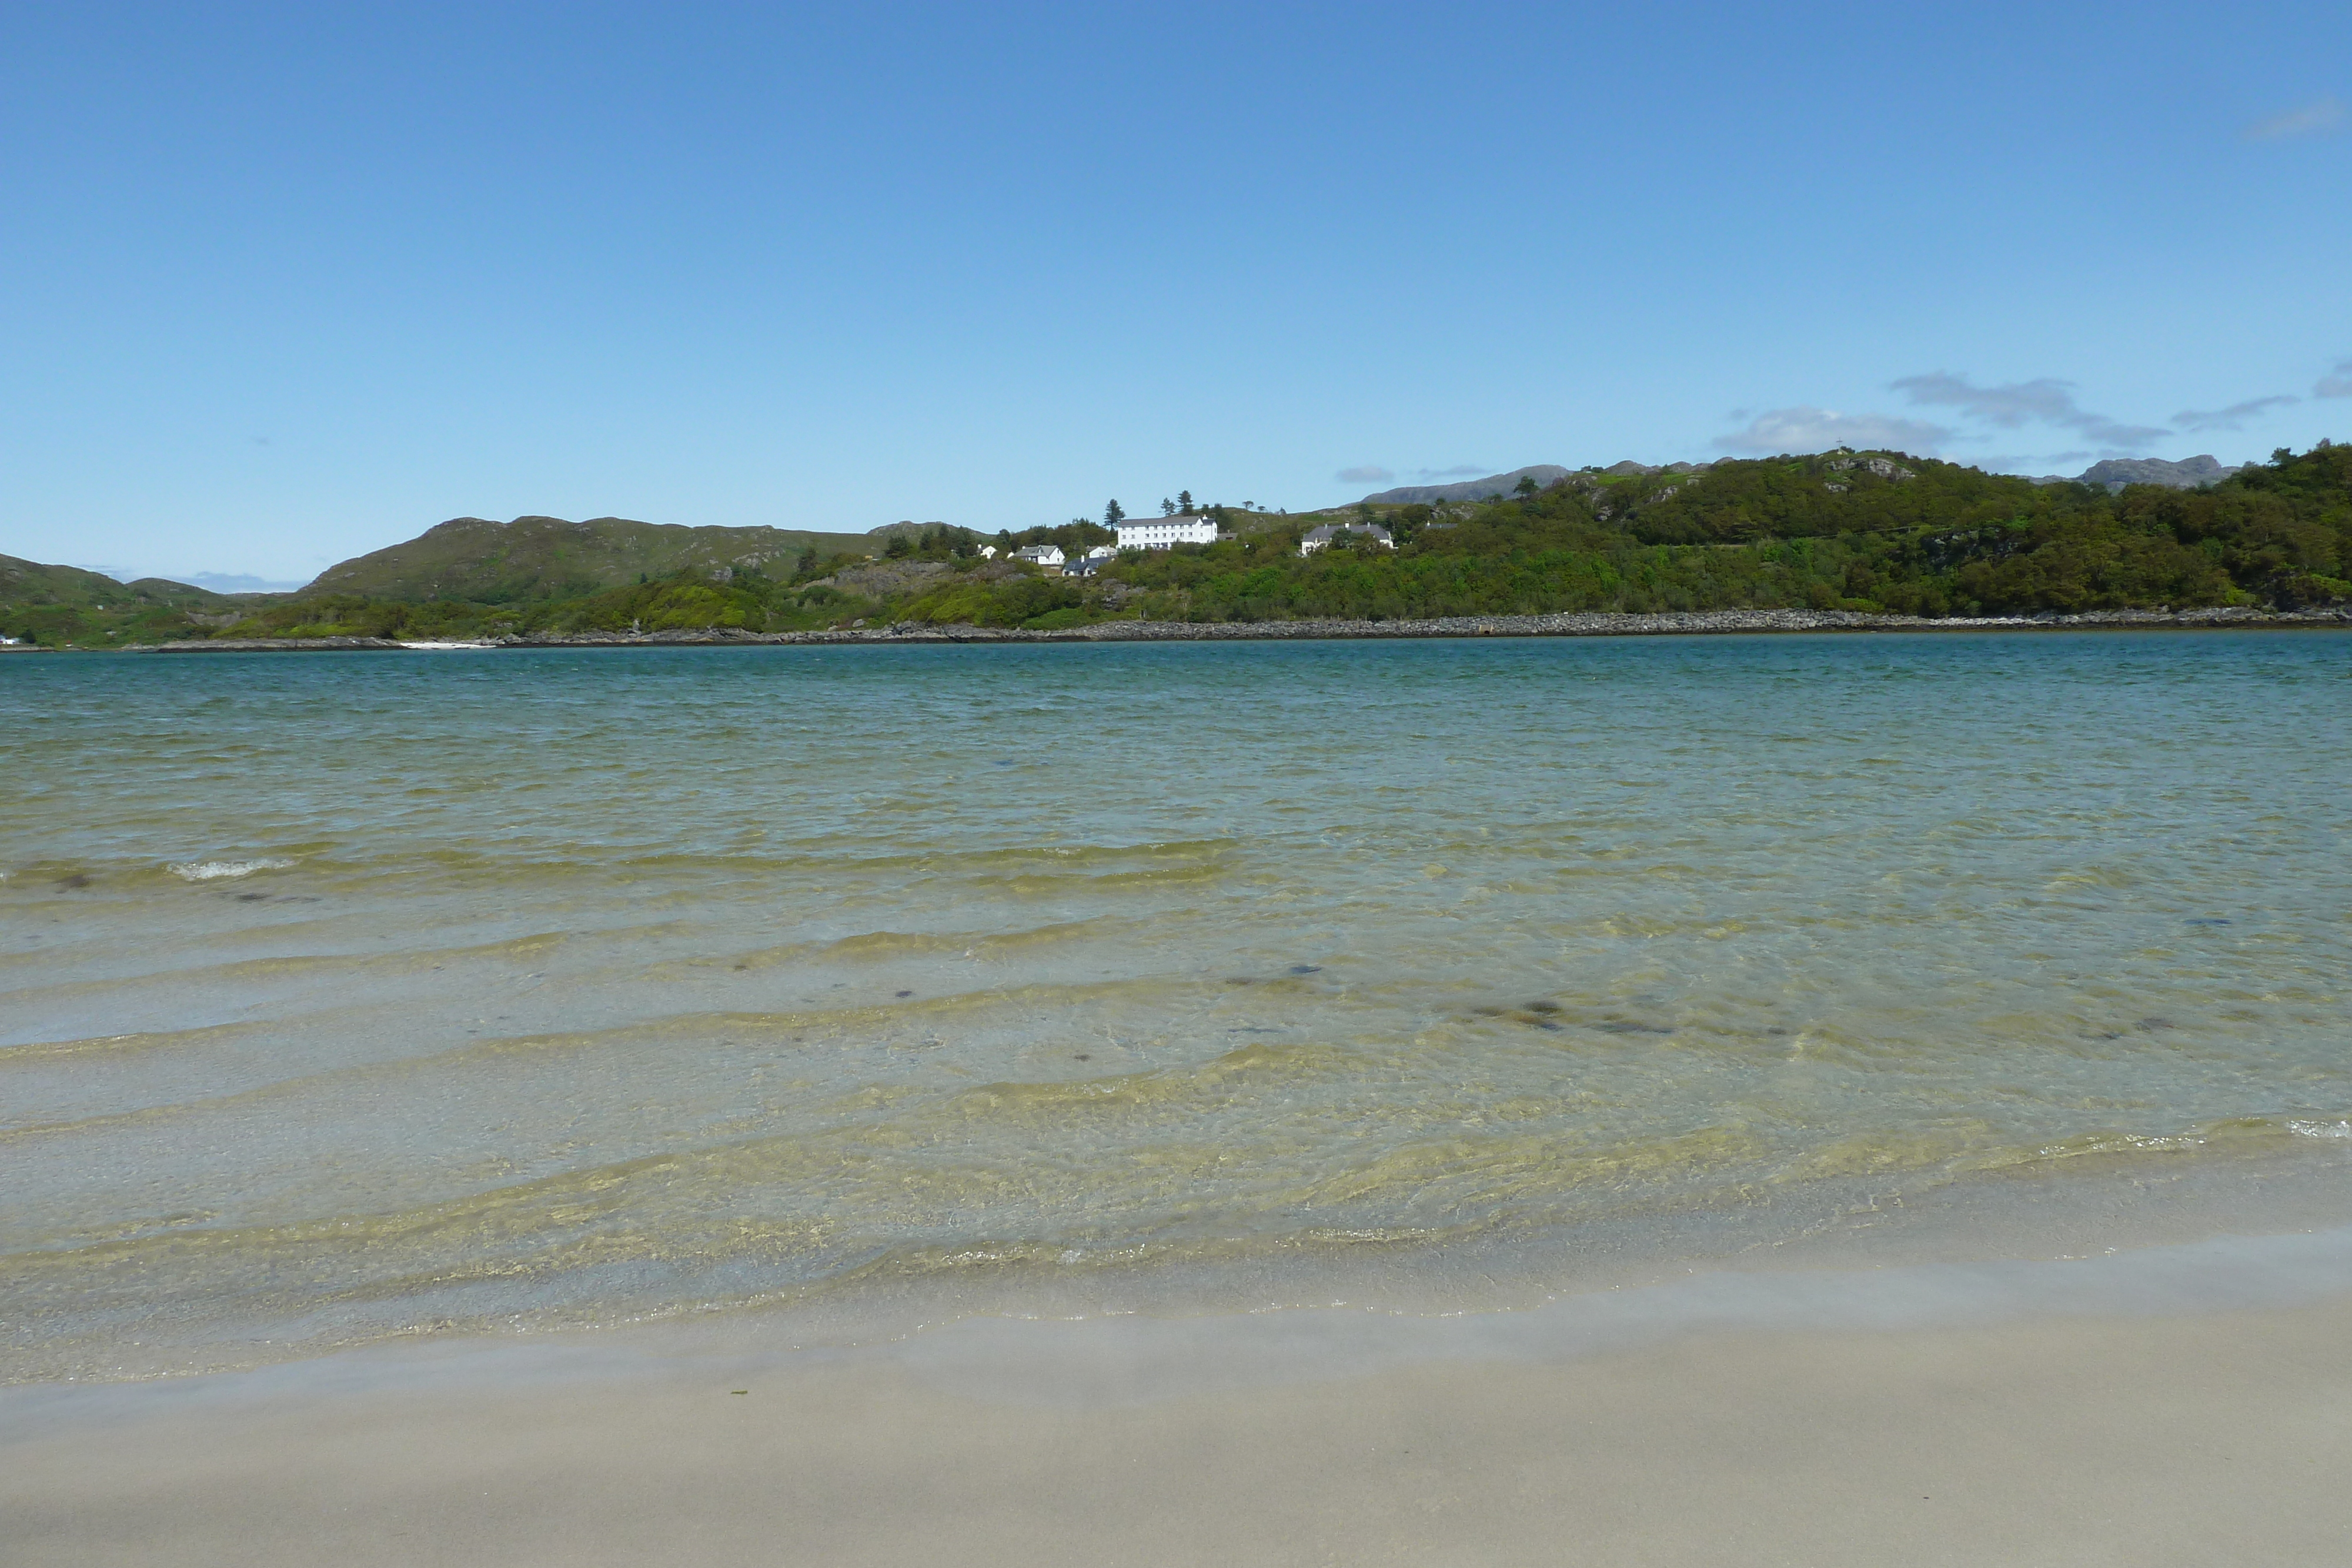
1838	530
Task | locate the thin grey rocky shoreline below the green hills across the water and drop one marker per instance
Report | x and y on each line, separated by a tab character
1673	624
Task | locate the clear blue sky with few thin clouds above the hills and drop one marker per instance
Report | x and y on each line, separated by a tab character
293	283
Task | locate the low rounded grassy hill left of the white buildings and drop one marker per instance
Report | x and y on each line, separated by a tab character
547	558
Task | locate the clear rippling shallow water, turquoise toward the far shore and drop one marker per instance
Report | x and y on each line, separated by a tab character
359	996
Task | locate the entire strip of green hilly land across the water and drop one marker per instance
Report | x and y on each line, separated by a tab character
1840	530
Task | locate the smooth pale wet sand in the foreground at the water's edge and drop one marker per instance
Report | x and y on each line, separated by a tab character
2205	1438
